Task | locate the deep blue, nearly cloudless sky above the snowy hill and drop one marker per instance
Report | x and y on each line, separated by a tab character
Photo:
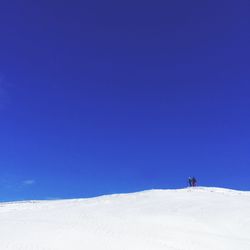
101	97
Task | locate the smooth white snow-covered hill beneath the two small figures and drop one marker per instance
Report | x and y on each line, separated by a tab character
184	219
